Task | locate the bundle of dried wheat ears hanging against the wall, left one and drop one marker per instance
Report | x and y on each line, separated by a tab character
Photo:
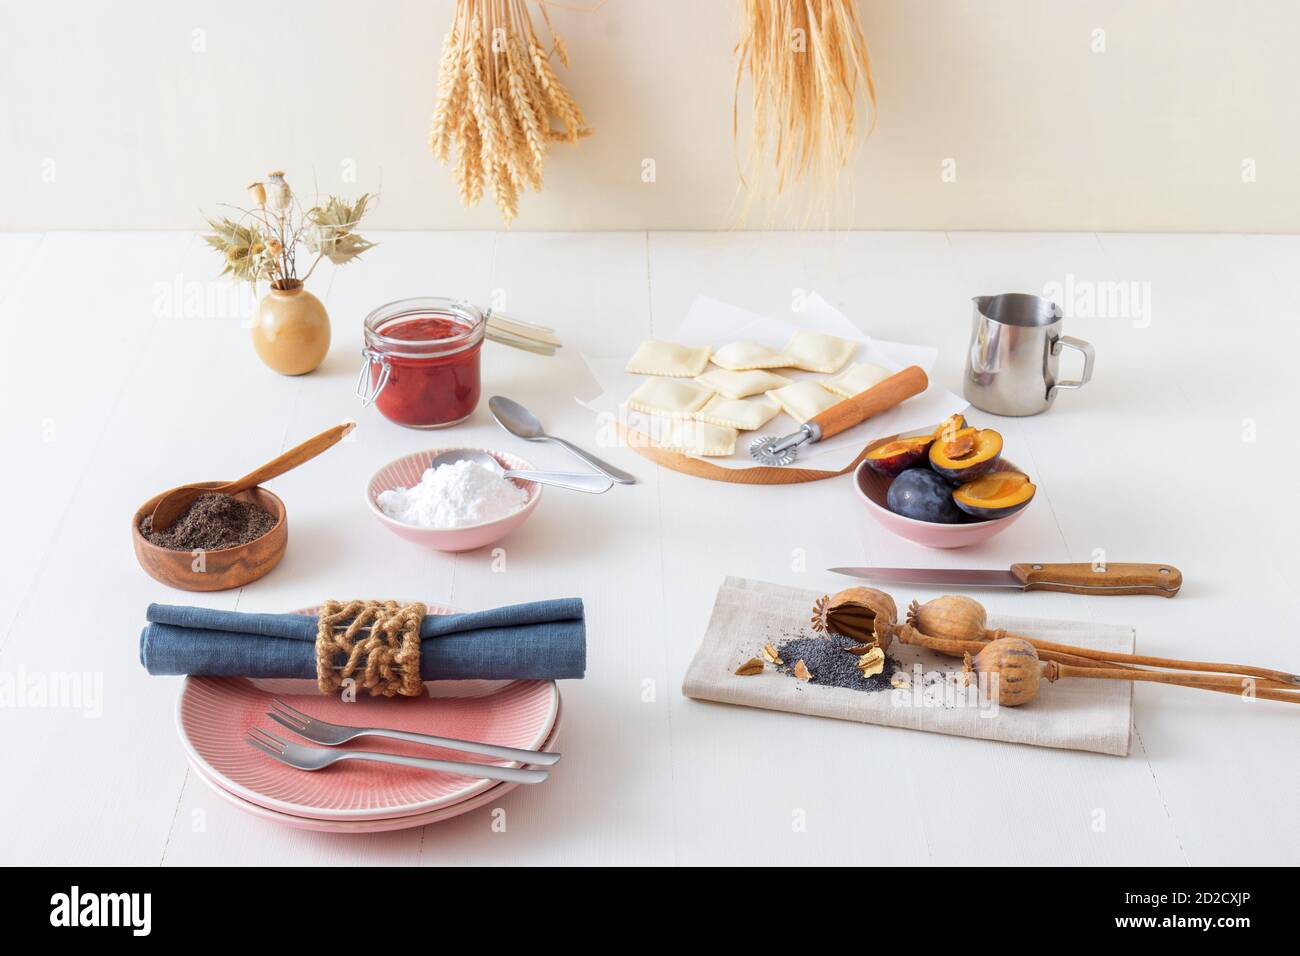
501	102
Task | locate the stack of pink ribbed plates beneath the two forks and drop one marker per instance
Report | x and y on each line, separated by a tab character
214	716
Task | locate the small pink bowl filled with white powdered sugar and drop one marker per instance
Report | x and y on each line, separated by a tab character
454	508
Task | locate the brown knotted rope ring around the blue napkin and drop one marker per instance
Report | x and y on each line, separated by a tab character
380	642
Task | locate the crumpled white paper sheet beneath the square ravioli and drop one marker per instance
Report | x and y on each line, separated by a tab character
710	322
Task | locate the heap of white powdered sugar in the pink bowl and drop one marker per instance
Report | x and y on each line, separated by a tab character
454	496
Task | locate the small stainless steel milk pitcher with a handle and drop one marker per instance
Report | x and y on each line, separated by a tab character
1016	354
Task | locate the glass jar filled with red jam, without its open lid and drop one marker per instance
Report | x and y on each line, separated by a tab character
422	361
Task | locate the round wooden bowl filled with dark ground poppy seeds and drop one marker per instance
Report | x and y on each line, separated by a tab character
222	542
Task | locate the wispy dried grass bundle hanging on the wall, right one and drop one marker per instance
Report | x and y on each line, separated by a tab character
808	62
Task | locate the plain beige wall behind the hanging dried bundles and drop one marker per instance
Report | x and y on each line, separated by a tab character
1094	115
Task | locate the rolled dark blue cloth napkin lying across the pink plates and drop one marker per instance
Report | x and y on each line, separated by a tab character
544	641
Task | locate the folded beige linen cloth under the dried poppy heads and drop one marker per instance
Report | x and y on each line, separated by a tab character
1073	713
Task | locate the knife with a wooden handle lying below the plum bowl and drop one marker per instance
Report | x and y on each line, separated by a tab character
1077	579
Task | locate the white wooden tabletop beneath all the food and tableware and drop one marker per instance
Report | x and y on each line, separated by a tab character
1182	451
